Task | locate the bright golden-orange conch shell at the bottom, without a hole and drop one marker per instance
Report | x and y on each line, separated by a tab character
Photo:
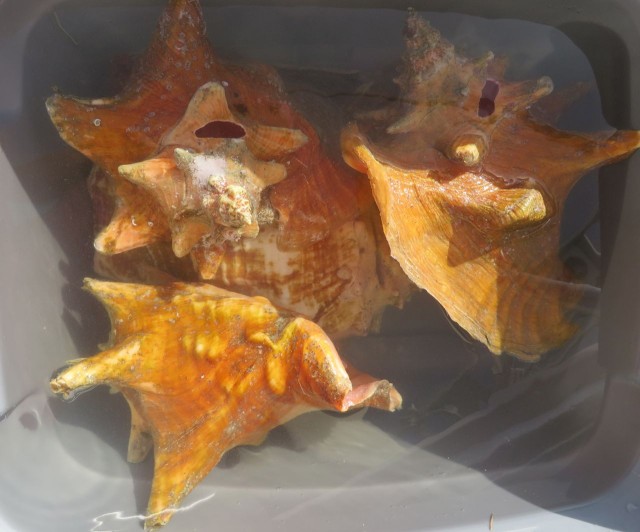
205	370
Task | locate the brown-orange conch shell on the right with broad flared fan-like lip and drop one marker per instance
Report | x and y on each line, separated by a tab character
471	189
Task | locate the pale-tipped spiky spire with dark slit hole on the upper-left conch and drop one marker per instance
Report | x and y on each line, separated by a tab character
210	188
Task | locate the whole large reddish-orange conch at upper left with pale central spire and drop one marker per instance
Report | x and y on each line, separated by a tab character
319	253
